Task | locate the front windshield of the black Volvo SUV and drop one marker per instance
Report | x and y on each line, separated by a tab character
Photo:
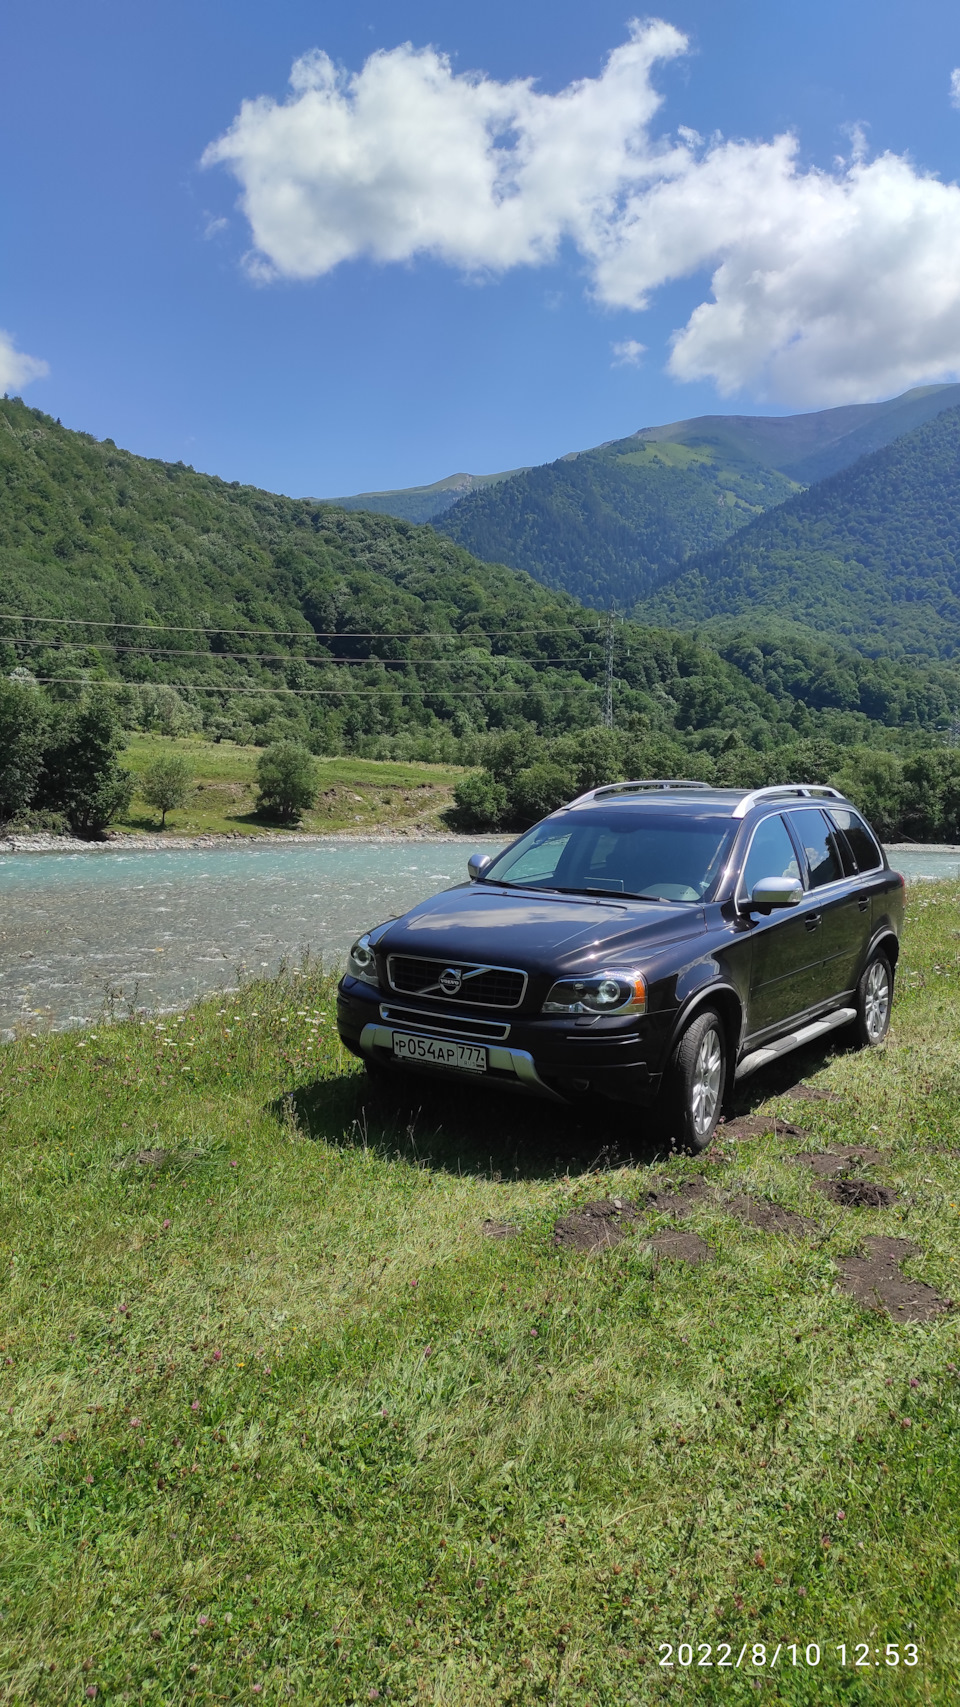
631	851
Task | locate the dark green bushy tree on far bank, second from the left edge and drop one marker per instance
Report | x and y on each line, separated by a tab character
81	772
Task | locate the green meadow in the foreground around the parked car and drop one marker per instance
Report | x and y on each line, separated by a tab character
281	1424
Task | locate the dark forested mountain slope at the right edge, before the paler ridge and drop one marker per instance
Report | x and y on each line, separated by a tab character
870	556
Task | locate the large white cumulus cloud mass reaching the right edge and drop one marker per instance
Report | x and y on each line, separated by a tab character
824	286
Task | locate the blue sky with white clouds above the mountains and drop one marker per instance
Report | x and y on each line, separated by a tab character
315	344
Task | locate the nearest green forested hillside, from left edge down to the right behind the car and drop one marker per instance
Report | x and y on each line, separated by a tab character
218	607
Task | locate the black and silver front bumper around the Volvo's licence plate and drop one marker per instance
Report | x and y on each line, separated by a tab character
542	1057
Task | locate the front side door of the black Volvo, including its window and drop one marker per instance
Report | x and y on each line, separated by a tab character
785	947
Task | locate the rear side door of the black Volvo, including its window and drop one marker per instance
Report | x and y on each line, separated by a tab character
838	894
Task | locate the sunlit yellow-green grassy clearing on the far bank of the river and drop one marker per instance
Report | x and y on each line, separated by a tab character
354	793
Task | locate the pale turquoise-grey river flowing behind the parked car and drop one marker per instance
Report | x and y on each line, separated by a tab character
156	929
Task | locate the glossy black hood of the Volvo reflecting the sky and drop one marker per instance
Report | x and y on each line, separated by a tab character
508	928
